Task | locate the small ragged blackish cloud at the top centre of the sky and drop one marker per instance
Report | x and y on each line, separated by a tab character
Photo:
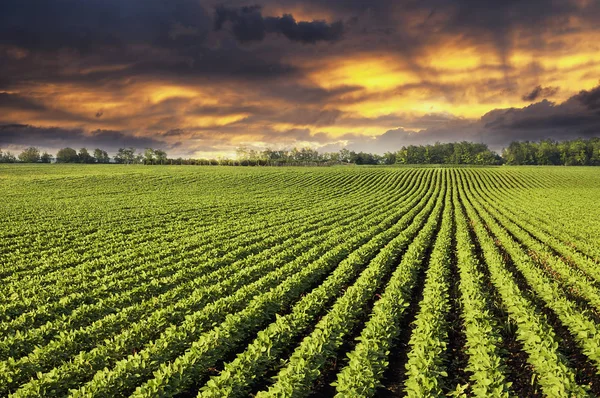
248	24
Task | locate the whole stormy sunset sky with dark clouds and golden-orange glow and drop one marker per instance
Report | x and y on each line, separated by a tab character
199	78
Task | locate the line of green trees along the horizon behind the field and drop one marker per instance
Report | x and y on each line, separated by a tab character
546	152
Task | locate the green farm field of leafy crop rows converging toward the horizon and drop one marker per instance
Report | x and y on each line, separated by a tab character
155	281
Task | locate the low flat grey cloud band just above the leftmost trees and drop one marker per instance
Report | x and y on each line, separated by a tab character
55	137
